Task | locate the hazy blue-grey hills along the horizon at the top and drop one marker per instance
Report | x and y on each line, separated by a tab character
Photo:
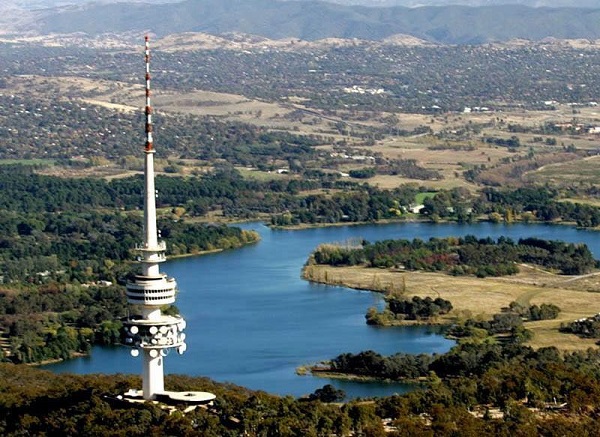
312	20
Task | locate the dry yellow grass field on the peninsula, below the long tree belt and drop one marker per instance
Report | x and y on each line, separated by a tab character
577	297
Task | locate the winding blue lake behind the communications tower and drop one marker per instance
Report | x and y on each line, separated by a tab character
252	320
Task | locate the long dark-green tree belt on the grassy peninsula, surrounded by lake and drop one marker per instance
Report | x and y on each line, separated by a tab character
461	256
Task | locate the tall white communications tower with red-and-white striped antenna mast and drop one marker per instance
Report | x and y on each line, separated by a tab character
149	332
